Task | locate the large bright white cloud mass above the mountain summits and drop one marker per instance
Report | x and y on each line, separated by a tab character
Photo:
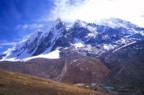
91	10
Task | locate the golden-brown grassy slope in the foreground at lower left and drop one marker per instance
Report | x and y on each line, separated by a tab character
12	83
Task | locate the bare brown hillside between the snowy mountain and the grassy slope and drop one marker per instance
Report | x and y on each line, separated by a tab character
83	69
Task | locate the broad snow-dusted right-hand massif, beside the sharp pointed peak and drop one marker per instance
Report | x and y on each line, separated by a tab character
97	38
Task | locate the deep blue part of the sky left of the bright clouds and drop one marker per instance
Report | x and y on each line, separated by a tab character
19	18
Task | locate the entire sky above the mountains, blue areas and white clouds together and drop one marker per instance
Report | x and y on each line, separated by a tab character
19	18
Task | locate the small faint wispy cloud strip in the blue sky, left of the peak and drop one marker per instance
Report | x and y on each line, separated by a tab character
29	26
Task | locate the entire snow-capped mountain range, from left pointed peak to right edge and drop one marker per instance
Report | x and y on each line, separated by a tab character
90	39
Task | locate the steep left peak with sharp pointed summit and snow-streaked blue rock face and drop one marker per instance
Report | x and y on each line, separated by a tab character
41	42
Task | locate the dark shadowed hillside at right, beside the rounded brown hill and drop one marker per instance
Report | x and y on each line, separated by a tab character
127	66
